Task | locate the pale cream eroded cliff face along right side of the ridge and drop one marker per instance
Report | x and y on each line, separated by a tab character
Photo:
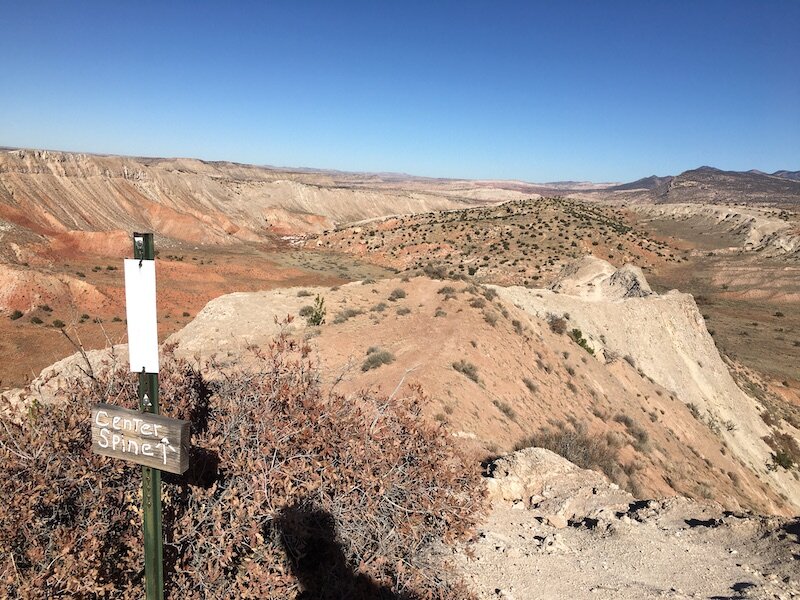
665	338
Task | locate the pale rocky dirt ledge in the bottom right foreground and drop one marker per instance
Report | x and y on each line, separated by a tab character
572	536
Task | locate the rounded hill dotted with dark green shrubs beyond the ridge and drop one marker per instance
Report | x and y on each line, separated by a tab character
518	242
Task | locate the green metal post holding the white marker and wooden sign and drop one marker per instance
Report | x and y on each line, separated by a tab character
143	249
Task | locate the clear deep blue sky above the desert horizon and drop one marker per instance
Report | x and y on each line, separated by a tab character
603	91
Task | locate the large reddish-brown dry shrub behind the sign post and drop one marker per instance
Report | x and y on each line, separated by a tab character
288	487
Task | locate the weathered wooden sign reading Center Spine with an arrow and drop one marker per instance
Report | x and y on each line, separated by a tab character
144	438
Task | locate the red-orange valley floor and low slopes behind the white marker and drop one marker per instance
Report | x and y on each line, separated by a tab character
84	292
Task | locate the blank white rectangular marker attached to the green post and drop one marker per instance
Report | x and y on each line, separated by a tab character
140	306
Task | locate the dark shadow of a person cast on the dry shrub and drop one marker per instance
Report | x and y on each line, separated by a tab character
317	561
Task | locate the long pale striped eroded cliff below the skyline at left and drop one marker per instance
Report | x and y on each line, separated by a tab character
188	200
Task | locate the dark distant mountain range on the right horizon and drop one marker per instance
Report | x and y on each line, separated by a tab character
708	184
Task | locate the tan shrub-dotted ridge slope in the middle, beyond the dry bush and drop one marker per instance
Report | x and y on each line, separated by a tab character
493	374
